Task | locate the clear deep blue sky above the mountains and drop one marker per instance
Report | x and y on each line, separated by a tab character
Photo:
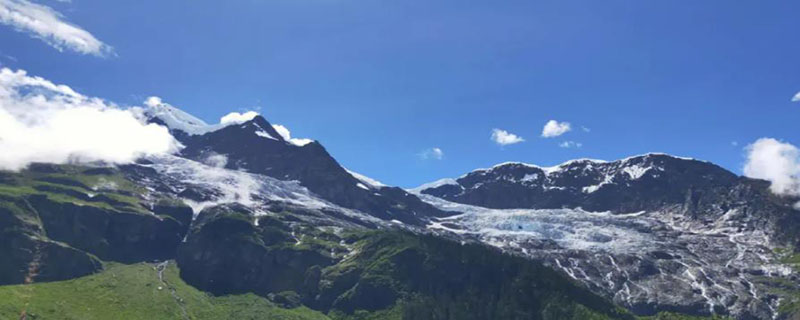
381	83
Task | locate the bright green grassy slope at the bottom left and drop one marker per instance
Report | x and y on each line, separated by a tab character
132	292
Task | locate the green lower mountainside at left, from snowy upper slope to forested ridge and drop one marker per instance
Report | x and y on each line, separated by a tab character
90	242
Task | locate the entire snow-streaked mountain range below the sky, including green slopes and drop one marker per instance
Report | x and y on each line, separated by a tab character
246	221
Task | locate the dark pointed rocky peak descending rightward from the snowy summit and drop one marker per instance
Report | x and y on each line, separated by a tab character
256	147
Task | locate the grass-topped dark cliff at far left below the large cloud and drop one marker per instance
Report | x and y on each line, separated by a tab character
56	221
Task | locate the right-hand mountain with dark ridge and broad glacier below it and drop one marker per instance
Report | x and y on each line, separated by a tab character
653	232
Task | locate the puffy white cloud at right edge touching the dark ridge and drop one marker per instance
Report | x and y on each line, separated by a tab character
776	161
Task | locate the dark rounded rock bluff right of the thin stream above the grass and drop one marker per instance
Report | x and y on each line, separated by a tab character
226	253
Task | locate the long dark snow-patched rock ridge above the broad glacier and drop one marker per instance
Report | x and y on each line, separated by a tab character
635	184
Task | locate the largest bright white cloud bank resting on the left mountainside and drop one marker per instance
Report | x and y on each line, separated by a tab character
41	121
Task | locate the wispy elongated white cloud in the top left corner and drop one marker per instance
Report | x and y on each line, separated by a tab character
43	22
